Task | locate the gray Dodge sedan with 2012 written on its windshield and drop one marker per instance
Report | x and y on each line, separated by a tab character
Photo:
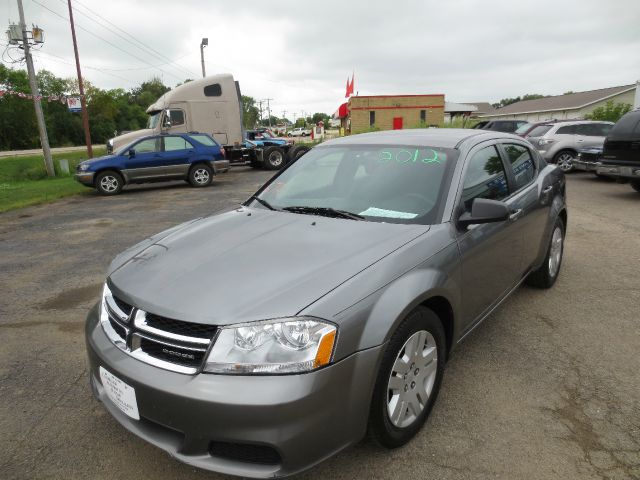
263	340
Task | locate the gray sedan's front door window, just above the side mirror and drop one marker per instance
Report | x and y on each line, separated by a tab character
485	177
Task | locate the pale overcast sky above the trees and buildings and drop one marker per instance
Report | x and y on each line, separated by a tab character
300	52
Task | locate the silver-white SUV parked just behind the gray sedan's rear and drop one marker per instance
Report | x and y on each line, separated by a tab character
558	142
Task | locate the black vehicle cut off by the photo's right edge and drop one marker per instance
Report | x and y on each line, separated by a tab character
621	151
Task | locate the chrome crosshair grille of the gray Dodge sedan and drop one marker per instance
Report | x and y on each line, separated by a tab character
164	342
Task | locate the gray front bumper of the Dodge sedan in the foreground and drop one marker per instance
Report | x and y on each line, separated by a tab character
304	418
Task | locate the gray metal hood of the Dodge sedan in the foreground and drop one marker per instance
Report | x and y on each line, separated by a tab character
251	264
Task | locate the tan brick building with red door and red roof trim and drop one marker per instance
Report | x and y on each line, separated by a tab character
387	112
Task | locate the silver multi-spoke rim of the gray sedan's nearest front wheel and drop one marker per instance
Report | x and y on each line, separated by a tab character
412	379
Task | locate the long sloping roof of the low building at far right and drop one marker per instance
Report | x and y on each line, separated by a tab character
571	101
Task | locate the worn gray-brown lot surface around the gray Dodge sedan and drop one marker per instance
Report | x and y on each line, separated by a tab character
548	387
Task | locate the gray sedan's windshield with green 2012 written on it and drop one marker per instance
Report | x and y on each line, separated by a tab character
396	184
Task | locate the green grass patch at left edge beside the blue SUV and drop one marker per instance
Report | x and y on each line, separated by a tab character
24	181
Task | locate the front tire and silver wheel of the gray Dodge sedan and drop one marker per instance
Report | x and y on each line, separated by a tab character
407	387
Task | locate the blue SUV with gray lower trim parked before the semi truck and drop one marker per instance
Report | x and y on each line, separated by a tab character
195	157
